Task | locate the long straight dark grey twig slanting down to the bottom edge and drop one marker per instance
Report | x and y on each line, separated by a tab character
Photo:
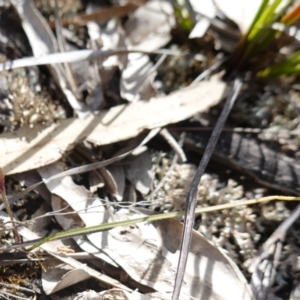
191	198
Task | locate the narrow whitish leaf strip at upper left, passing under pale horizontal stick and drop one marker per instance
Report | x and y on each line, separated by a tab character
43	42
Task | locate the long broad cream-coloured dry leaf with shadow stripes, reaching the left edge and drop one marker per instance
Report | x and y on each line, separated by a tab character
27	149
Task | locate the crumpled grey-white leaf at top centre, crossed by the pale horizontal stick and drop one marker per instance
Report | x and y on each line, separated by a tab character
149	28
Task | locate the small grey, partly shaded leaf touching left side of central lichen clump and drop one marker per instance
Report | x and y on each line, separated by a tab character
139	172
